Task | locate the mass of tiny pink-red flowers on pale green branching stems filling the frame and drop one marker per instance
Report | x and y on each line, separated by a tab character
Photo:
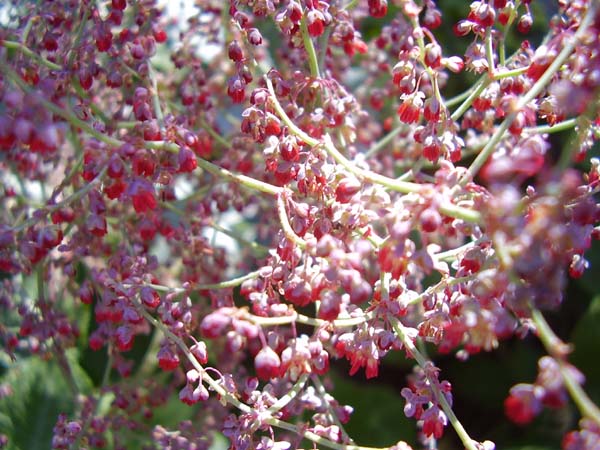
371	208
